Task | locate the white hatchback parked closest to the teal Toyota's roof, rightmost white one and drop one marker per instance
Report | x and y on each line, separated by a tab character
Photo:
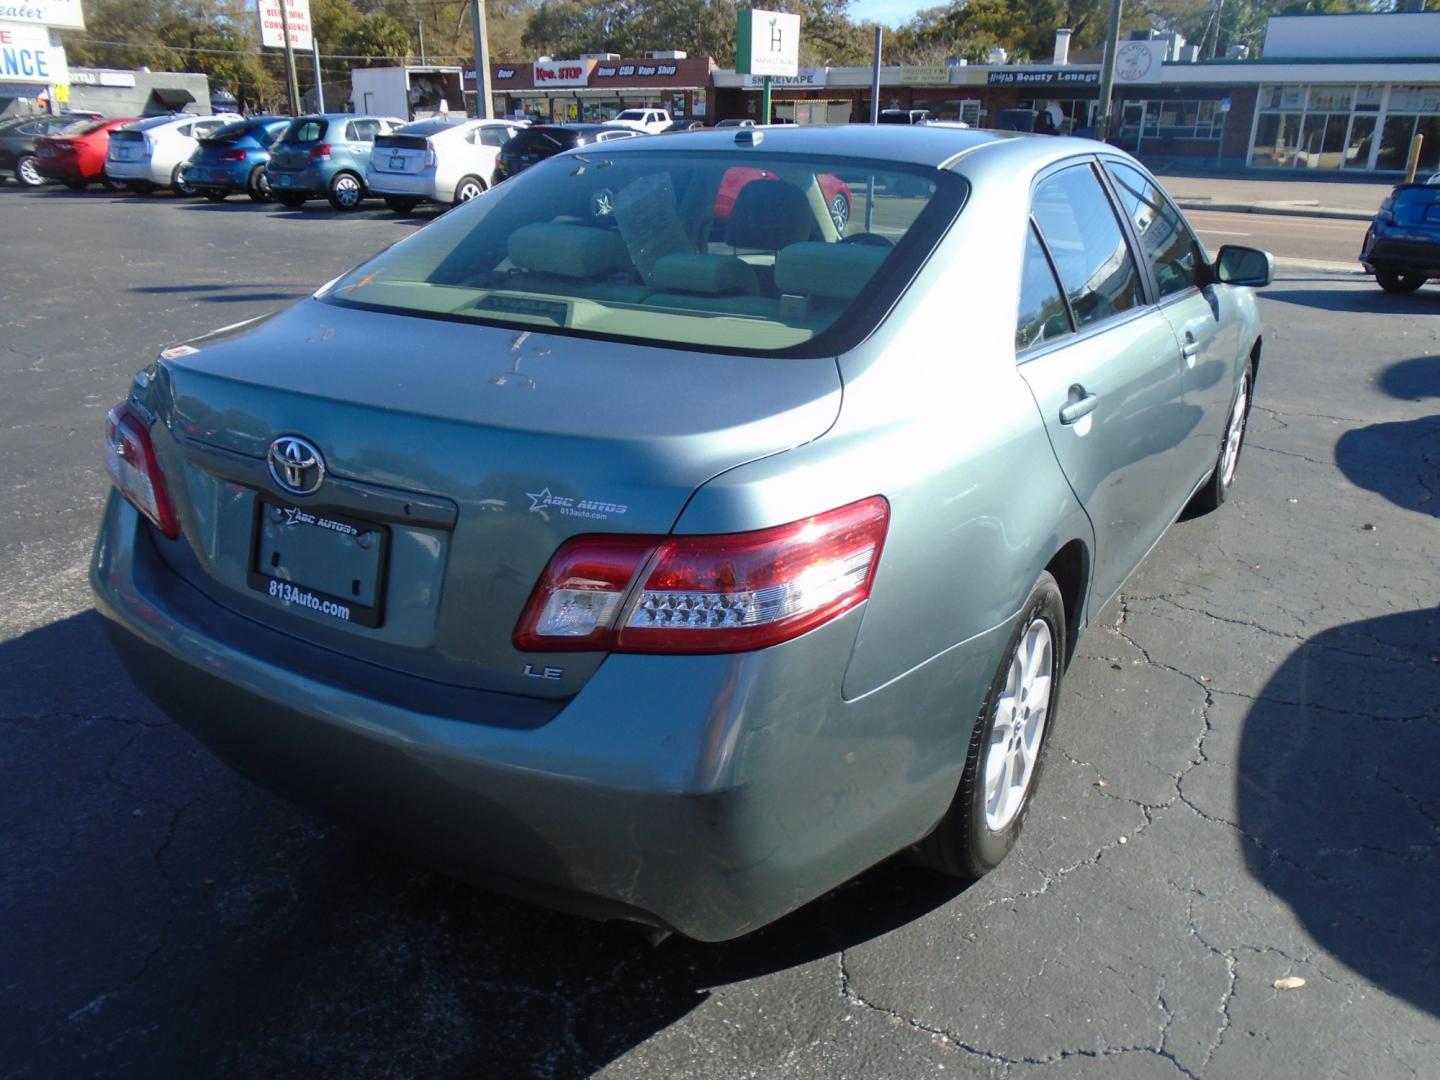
437	161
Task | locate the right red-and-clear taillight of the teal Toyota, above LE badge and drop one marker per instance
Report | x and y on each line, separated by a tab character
705	594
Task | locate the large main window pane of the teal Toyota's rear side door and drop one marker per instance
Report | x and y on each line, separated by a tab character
1085	240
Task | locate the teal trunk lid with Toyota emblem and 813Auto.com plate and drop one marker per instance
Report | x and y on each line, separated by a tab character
469	453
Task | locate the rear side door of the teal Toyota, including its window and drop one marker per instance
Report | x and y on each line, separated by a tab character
1102	365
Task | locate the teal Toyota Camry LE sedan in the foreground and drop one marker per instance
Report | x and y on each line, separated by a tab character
673	568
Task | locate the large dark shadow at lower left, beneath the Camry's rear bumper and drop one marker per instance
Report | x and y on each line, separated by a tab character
182	922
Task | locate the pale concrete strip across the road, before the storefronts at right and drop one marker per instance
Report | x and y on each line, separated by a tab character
1340	198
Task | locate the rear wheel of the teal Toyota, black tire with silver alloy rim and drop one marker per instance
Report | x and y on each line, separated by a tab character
978	832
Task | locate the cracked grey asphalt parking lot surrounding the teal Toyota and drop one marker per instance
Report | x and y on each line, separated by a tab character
1241	790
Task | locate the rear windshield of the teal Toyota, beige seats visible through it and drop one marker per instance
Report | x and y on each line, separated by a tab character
783	254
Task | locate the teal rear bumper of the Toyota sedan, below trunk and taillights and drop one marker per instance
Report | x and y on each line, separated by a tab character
702	794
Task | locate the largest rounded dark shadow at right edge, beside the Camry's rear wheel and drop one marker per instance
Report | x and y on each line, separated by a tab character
1337	793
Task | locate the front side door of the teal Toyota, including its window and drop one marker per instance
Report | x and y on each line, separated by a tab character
1207	342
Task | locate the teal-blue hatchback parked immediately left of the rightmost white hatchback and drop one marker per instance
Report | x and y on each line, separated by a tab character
326	156
